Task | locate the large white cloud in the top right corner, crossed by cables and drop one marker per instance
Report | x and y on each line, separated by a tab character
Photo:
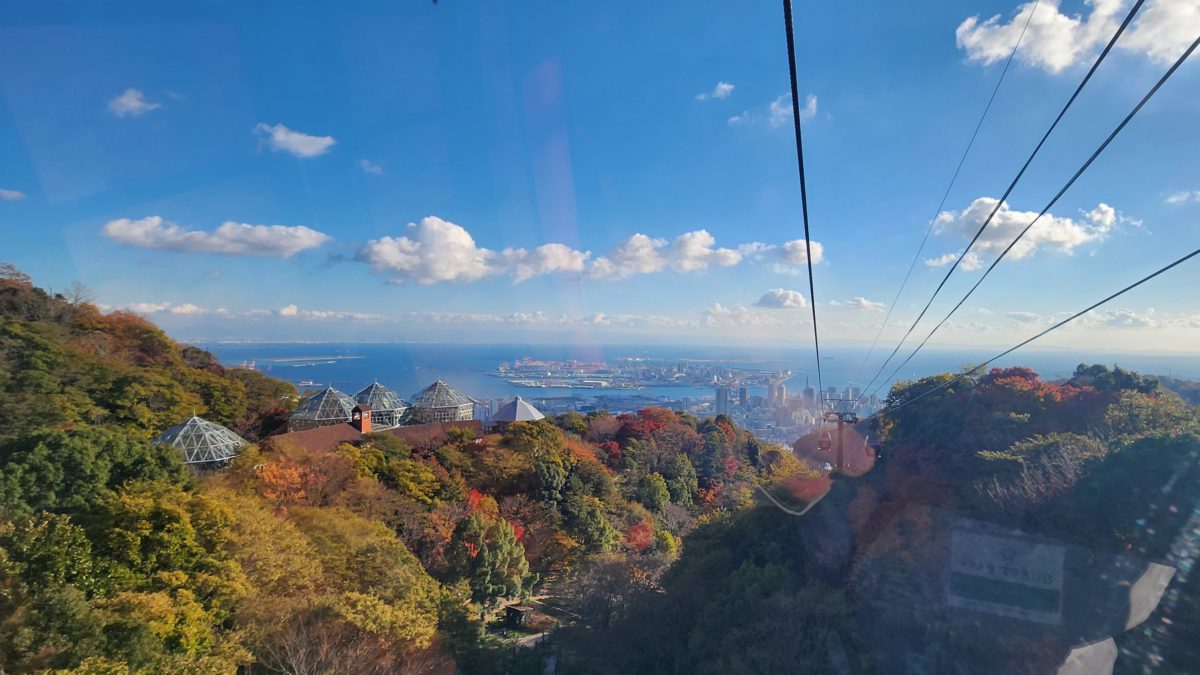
1055	41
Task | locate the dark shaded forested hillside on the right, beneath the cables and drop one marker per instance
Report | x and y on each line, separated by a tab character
1108	463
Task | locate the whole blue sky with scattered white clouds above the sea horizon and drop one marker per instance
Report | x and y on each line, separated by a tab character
617	171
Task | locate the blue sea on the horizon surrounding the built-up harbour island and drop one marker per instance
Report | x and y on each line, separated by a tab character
409	368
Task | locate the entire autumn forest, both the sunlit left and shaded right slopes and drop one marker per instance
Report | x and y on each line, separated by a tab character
635	543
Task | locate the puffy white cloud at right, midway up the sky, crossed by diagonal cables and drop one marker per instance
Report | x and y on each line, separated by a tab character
1054	232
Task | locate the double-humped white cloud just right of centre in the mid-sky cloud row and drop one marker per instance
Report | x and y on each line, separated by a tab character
640	254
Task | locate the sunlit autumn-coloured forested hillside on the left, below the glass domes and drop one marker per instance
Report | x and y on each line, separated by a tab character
376	557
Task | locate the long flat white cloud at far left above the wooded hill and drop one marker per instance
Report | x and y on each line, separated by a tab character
236	238
